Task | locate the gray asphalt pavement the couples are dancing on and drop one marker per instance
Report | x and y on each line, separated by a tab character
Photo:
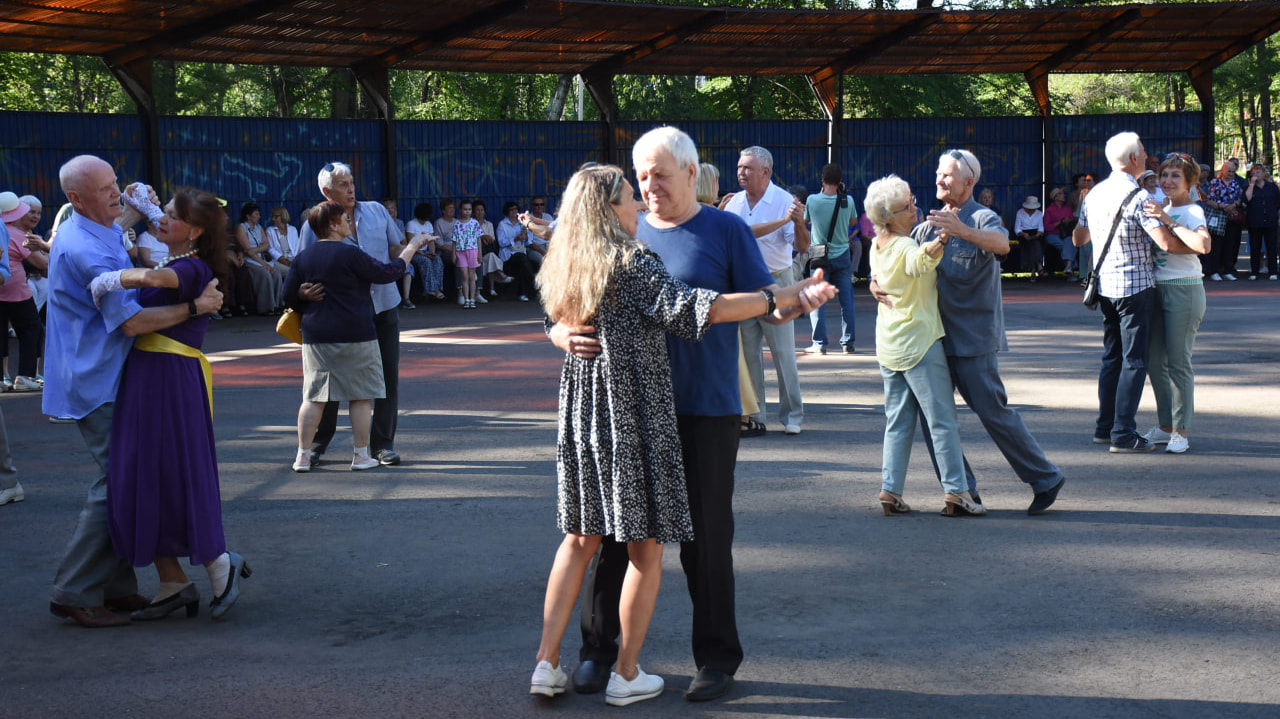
1150	590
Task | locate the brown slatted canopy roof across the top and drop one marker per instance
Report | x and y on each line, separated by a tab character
596	38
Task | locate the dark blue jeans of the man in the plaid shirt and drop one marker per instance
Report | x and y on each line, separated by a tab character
1126	327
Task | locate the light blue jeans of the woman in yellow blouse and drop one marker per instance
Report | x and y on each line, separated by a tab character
925	388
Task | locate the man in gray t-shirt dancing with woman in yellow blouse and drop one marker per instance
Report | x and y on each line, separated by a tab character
973	317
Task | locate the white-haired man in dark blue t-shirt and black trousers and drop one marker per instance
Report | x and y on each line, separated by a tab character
706	249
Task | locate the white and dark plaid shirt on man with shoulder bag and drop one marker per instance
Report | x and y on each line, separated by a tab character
1130	265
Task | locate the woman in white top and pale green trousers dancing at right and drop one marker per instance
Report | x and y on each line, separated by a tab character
1181	305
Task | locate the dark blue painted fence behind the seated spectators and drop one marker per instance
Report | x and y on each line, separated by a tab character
276	162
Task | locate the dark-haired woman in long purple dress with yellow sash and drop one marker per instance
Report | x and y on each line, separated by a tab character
163	492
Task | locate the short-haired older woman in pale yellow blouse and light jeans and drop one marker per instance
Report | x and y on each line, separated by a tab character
909	350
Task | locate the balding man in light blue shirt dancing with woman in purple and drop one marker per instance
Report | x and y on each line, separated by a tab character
85	352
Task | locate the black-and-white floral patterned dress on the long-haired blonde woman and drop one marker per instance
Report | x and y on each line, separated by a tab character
619	452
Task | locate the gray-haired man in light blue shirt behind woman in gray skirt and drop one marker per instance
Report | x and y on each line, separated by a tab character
374	232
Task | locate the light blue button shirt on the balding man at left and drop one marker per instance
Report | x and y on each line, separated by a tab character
85	349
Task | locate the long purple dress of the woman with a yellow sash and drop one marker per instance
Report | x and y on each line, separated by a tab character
163	493
